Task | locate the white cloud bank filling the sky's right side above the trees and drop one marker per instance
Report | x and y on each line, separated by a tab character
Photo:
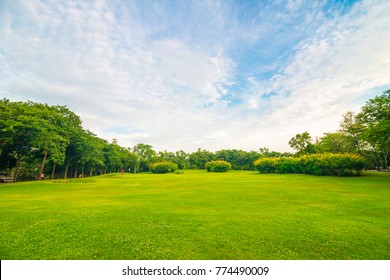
345	60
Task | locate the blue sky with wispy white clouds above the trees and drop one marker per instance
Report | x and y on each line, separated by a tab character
189	74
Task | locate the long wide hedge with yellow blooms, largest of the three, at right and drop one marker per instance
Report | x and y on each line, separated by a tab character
315	164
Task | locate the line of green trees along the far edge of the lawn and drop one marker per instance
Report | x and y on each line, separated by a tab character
38	139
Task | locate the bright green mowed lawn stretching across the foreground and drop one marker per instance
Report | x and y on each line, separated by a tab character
197	215
